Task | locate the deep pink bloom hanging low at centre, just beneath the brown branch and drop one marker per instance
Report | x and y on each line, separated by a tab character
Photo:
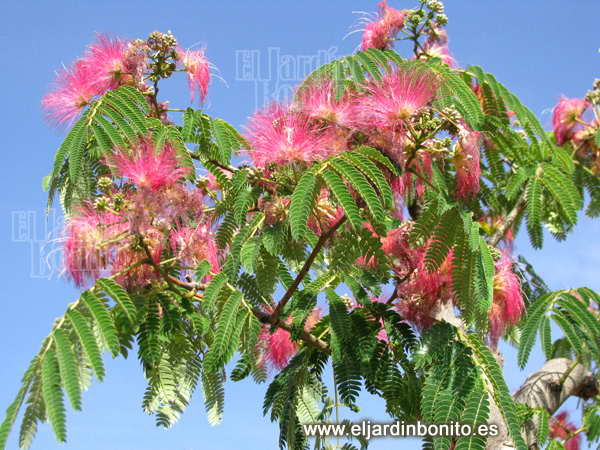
278	347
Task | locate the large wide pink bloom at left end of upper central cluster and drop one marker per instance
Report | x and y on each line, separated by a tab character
279	135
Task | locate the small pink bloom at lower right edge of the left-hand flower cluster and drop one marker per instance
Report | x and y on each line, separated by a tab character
195	244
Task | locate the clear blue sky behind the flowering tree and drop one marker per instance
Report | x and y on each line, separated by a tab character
540	49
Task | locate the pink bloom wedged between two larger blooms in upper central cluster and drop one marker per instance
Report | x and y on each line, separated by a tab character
318	102
